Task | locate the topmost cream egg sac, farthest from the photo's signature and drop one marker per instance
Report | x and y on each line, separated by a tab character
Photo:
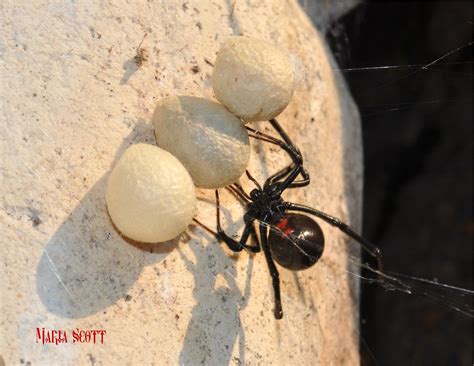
253	78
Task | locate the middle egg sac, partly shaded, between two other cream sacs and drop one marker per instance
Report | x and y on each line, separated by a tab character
211	142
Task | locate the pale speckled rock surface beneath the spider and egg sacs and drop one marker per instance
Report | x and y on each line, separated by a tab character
79	84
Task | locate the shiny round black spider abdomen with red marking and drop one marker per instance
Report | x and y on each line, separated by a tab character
296	242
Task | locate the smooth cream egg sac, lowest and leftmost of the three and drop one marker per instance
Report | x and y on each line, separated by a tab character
150	195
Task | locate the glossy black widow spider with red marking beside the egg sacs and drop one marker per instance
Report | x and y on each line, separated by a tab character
295	241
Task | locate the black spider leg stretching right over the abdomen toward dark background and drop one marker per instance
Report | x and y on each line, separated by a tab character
370	248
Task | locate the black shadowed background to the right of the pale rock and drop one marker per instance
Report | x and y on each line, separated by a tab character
417	138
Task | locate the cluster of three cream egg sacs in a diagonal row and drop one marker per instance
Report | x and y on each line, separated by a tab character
151	190
